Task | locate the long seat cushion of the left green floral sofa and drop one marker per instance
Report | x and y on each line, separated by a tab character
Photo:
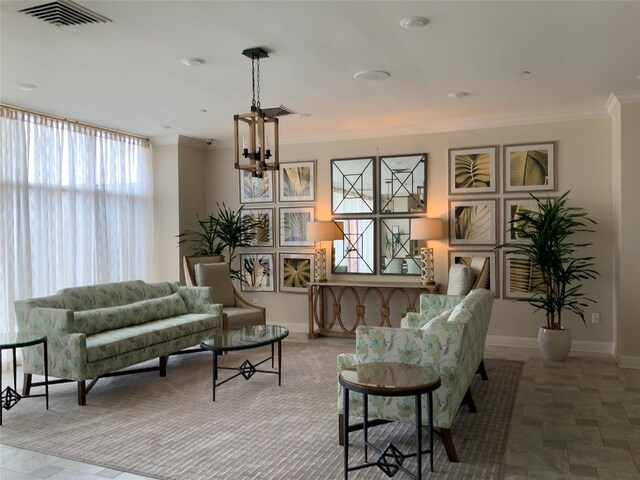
117	342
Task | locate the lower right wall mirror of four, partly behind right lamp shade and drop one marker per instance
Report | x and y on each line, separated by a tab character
399	255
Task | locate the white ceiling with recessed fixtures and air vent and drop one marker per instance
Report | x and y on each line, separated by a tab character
127	74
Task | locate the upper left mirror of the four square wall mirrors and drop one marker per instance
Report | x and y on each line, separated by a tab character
352	182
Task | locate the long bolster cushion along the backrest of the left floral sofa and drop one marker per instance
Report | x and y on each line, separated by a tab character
91	322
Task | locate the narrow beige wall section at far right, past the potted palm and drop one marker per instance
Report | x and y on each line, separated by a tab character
626	200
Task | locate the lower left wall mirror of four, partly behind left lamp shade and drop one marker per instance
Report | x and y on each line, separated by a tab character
355	253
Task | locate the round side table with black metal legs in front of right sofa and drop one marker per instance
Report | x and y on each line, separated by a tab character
389	380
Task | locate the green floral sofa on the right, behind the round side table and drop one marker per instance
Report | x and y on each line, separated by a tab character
449	334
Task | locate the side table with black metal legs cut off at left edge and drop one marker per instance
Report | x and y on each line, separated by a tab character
13	341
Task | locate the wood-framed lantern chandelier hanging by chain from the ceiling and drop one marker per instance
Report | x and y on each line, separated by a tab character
253	146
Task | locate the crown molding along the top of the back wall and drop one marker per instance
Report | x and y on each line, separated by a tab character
439	127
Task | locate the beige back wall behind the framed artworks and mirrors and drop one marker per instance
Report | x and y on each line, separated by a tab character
584	166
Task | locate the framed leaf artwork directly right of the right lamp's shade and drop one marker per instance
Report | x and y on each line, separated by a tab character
472	222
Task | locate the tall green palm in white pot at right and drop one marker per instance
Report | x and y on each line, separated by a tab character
545	239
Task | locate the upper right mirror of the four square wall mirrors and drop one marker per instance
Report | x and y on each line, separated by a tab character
403	180
